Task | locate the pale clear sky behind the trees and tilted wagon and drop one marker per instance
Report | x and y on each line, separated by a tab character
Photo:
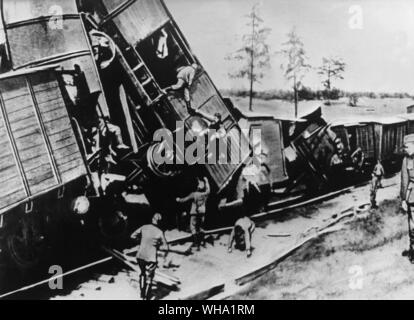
375	38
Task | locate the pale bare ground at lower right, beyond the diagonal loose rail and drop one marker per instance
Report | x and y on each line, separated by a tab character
362	261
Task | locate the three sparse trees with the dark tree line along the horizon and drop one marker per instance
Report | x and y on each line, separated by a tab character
254	57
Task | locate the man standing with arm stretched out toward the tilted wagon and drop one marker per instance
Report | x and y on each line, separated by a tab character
198	209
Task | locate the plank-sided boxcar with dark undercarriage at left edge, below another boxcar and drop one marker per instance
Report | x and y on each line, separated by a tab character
41	166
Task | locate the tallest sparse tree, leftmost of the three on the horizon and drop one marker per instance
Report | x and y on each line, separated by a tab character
254	54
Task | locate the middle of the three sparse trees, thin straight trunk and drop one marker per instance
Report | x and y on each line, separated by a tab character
296	65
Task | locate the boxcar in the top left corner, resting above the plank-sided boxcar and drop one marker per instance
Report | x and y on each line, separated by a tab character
50	32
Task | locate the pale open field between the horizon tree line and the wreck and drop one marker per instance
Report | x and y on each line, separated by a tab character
339	110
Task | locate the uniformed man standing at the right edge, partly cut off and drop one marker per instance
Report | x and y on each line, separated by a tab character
407	196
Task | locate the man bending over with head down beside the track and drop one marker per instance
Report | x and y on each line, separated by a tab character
242	235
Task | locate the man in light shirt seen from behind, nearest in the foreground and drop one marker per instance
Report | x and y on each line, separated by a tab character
152	239
